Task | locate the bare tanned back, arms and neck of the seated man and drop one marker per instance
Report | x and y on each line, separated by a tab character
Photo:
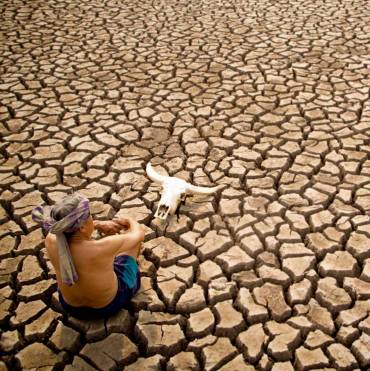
97	284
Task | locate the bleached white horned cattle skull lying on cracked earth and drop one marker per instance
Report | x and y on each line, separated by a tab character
173	191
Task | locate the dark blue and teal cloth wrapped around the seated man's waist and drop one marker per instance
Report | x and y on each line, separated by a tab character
128	275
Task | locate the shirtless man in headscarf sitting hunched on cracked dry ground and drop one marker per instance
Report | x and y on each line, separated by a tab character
95	277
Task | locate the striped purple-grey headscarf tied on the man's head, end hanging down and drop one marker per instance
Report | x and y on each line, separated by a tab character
68	224
